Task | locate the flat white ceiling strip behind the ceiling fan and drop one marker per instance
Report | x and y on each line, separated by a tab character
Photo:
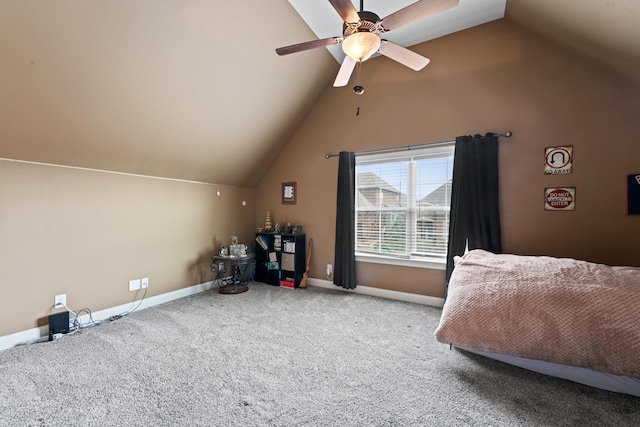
325	22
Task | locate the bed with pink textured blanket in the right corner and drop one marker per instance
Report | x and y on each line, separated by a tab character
559	316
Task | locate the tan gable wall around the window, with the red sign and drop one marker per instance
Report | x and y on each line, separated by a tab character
491	78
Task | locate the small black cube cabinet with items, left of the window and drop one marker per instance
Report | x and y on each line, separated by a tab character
280	257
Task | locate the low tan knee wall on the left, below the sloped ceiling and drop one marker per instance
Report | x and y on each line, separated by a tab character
87	233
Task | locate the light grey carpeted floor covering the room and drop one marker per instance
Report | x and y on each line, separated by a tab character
280	357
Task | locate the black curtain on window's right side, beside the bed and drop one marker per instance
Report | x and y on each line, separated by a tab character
475	203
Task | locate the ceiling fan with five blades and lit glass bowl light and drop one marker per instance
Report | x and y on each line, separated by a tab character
361	35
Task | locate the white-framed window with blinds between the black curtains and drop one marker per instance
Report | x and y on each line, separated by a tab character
403	202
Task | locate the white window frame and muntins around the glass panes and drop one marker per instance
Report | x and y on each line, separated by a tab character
441	150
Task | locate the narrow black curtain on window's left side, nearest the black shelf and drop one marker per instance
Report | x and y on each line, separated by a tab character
344	273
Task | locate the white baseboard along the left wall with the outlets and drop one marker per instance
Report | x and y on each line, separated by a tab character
40	333
